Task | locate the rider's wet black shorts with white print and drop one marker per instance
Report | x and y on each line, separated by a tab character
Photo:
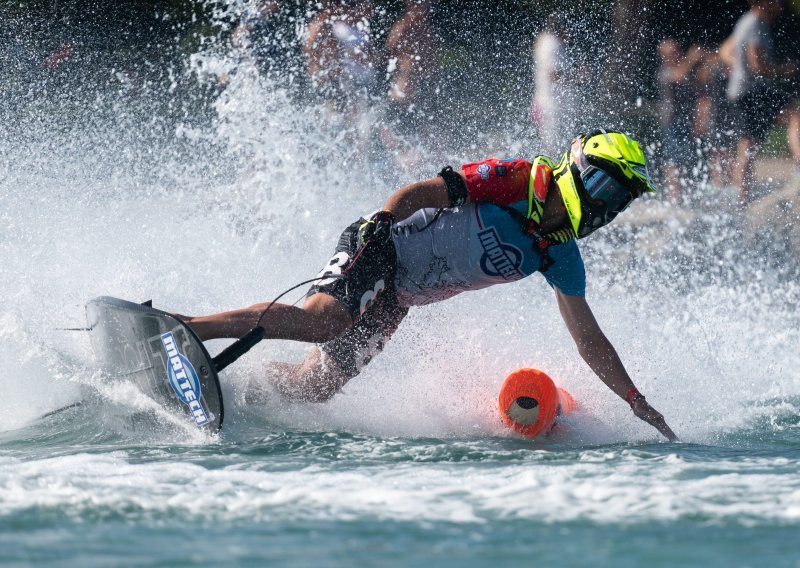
366	290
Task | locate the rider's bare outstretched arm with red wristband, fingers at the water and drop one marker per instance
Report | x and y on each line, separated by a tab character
600	355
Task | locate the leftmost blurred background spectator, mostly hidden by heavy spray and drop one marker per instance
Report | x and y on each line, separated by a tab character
269	36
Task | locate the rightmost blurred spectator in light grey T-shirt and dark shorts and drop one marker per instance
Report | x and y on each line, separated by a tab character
754	89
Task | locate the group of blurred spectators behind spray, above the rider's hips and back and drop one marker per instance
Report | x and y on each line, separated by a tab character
374	92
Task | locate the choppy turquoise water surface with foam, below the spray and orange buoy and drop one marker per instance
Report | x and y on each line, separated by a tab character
297	496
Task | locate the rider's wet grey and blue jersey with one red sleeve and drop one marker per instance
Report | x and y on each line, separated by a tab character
441	253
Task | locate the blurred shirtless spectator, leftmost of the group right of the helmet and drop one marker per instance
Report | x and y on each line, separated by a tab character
678	95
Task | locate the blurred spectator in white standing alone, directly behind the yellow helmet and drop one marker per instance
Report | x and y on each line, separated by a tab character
558	78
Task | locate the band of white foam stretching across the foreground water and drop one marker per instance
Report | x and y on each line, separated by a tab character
620	487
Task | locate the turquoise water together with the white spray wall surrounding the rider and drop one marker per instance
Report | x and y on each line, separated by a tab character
410	464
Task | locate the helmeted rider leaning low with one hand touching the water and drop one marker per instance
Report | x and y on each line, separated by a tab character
494	221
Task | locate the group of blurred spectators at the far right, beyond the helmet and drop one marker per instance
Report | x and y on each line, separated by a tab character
720	105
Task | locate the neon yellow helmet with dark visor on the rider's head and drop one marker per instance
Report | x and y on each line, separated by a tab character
601	175
